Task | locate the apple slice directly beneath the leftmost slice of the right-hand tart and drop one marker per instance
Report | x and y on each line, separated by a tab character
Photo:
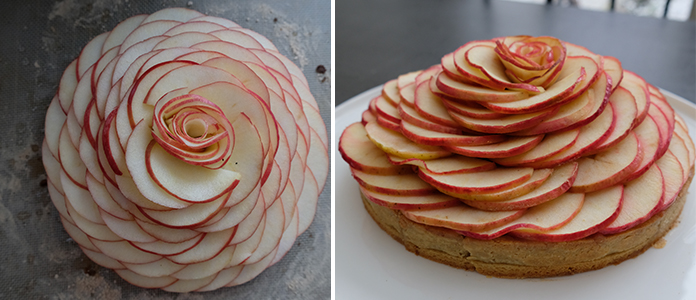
402	184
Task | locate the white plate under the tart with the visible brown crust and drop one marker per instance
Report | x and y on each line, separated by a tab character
371	265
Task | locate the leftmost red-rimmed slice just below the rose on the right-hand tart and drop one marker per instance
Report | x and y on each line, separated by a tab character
466	91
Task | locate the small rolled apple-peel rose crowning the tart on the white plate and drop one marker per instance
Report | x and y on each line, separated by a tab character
533	60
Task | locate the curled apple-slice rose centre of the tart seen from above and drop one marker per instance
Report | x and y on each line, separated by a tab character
194	130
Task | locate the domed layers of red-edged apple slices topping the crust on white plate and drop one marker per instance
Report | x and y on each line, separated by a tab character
524	138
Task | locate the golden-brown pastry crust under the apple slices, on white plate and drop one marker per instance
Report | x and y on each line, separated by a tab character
510	257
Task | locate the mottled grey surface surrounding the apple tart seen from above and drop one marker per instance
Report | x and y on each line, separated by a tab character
40	38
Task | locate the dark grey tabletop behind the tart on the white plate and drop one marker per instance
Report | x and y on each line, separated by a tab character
378	40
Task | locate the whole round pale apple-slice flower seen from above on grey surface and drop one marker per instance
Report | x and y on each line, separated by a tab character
184	151
